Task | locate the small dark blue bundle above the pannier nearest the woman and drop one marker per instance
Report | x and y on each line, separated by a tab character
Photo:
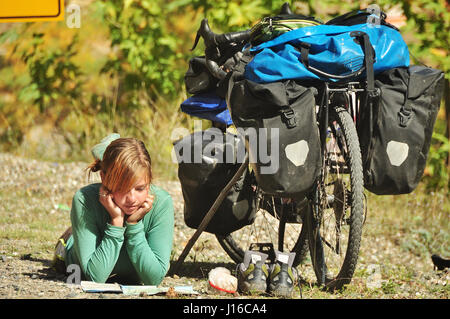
208	106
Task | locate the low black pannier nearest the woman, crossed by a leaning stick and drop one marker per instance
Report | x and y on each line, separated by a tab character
207	161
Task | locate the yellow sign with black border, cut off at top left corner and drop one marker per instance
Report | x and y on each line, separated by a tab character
31	10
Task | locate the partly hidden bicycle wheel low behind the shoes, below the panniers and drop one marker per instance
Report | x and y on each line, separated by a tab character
272	229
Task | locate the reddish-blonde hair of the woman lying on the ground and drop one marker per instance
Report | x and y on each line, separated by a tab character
125	161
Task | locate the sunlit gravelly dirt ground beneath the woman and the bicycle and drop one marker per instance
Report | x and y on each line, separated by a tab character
25	271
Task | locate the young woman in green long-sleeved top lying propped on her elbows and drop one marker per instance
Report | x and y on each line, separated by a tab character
123	226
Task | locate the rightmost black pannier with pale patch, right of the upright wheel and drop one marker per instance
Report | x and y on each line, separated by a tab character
395	137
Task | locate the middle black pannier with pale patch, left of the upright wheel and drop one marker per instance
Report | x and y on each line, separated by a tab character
285	155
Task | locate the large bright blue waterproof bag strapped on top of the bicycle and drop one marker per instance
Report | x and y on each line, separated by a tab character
332	49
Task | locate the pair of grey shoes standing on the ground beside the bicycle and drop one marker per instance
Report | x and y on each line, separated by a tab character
255	276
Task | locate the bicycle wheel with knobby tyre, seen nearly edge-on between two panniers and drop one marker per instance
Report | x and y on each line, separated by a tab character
335	223
